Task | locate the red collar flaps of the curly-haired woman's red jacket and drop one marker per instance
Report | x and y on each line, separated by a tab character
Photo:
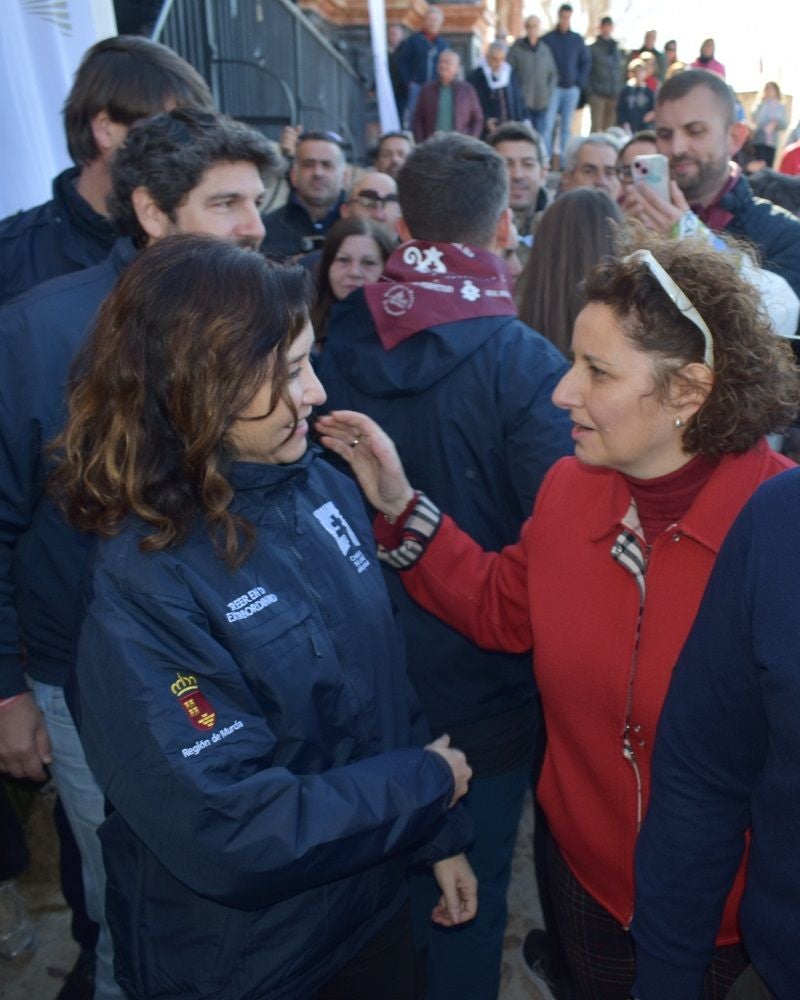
708	519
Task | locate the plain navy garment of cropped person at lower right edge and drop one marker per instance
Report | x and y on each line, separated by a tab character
727	757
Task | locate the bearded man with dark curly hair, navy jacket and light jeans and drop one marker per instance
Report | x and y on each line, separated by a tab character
187	170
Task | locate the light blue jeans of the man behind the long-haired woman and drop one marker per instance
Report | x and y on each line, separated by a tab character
84	805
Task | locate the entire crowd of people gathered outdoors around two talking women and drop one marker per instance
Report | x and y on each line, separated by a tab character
291	747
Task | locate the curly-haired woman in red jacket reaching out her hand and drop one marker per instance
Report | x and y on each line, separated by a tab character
675	381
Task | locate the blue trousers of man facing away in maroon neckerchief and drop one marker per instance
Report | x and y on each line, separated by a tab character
464	962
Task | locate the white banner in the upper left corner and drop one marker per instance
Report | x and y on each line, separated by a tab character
41	45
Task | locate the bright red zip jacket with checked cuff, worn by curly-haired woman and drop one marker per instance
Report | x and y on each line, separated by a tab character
559	591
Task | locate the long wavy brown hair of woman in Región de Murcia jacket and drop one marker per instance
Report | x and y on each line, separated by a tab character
179	349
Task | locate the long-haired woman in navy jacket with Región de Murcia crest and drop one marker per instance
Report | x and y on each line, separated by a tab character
241	693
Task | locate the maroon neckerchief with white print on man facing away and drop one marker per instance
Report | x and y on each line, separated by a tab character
427	284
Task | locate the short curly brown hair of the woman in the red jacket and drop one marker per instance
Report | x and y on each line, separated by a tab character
756	381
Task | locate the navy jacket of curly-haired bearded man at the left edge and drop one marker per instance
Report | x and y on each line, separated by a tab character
41	558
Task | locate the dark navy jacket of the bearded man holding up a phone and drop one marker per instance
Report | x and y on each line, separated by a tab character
774	231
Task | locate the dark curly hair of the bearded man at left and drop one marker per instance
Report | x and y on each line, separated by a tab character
169	154
